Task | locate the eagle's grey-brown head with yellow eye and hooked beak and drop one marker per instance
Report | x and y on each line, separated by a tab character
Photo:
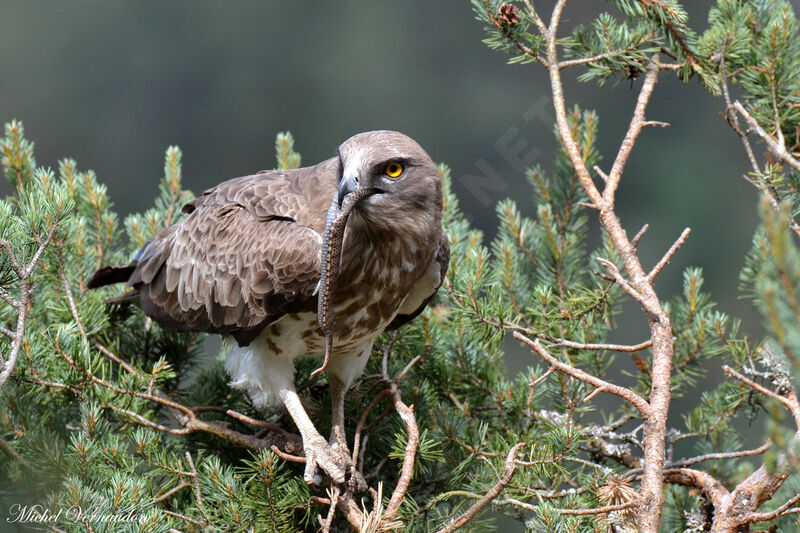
406	184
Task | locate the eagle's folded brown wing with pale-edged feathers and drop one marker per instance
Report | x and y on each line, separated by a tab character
248	252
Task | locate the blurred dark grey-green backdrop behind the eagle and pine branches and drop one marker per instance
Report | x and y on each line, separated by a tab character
112	84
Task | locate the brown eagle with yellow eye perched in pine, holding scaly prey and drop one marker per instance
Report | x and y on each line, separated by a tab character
249	262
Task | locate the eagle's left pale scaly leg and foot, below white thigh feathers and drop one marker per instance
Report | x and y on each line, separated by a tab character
318	451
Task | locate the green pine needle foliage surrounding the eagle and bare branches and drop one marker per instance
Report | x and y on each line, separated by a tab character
96	412
